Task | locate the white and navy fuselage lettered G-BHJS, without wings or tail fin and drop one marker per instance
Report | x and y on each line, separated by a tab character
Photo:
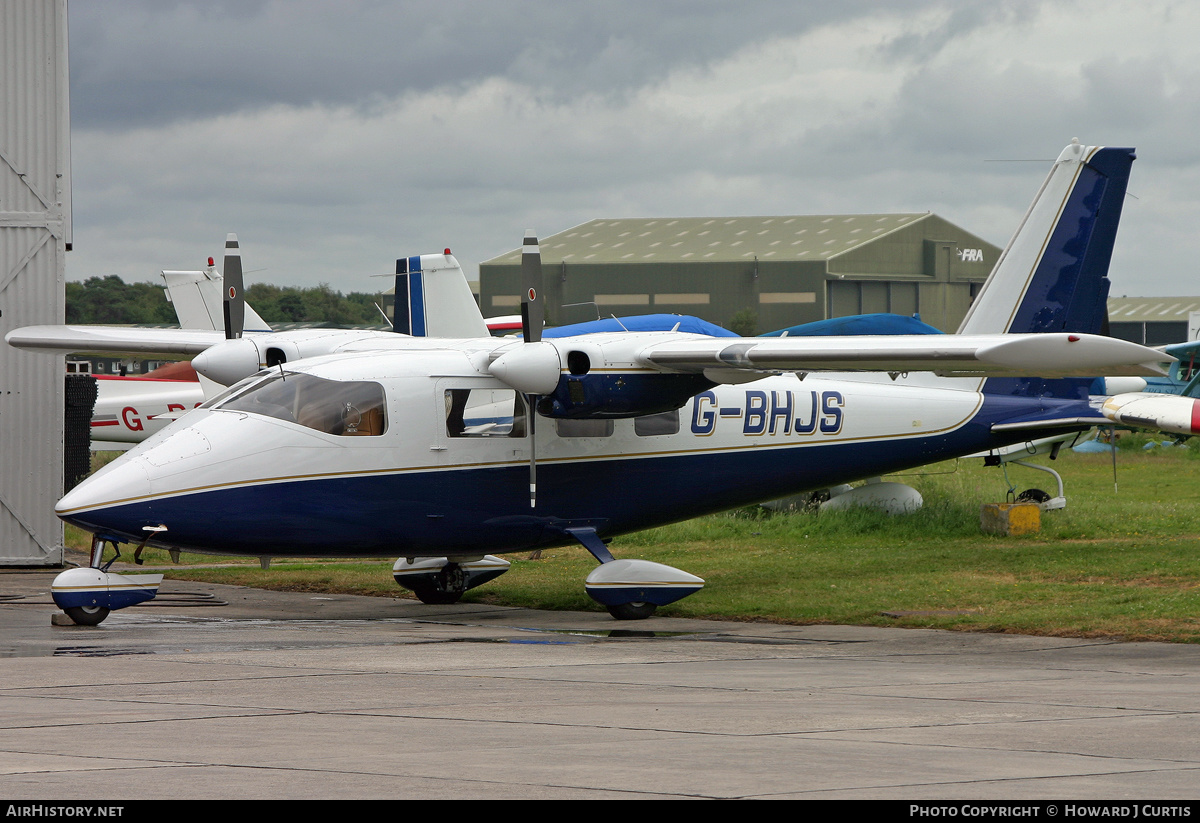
442	467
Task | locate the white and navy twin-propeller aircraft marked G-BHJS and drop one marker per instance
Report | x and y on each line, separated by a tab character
448	452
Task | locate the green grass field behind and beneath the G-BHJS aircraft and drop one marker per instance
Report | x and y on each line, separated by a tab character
1113	564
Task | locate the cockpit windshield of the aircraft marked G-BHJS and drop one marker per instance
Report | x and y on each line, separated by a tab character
335	407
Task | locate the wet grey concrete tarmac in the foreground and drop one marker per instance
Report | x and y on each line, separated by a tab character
217	692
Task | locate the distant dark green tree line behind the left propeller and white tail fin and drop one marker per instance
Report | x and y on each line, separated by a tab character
111	302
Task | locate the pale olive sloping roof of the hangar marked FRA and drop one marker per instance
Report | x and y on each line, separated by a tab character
709	239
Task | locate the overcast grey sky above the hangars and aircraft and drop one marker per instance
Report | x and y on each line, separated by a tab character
335	137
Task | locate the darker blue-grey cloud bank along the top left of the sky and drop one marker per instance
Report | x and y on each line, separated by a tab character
154	62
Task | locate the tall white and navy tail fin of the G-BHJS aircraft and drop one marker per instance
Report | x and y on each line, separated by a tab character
1053	275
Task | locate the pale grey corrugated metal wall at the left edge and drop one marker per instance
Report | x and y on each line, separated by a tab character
35	233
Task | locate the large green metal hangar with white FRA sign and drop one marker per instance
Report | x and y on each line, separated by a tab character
772	272
